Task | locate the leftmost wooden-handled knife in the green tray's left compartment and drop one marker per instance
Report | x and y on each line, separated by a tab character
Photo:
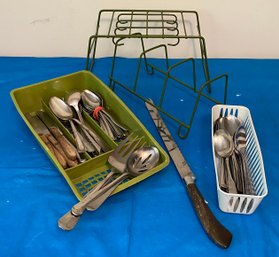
46	137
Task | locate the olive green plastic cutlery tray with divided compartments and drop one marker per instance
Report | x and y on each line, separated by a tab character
86	175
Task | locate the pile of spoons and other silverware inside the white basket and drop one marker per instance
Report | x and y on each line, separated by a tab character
229	141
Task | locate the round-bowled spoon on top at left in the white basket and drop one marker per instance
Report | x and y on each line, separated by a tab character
224	147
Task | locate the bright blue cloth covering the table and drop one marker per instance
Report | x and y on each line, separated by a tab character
154	217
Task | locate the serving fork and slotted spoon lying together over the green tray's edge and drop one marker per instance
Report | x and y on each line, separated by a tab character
130	158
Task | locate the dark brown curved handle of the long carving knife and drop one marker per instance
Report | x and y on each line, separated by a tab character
214	229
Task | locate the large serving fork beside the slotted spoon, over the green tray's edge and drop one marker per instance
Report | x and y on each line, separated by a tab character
117	160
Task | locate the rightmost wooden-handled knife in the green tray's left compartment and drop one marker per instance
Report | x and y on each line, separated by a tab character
67	147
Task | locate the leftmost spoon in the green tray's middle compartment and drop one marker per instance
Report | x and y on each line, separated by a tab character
64	112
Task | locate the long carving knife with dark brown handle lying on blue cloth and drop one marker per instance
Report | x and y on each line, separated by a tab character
214	229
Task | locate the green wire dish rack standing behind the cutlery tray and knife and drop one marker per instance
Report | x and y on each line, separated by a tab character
169	28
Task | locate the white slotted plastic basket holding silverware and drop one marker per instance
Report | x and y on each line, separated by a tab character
241	203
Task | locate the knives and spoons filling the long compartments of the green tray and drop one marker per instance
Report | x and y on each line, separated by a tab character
69	112
